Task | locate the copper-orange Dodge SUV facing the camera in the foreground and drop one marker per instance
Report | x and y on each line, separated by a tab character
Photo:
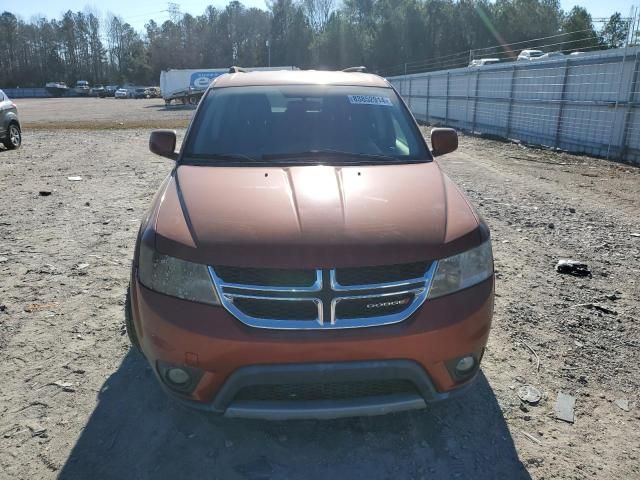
307	257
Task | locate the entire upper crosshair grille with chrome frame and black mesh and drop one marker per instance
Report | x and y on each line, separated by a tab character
323	299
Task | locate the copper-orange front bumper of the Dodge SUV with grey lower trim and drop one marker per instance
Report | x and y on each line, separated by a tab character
232	355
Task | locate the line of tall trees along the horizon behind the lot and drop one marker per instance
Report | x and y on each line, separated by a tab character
381	34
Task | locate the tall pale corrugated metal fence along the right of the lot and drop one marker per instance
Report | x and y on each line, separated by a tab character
580	103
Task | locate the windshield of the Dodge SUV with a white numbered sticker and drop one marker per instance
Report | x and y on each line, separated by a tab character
298	122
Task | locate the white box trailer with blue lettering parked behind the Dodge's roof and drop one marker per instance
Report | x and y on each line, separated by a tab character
186	86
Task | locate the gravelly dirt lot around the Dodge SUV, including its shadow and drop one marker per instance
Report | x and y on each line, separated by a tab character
75	403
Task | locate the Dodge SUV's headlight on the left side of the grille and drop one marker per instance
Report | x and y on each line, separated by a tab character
175	277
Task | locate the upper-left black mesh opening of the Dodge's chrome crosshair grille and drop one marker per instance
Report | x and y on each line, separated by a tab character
269	277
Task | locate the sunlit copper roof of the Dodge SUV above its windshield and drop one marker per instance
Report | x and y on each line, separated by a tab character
299	77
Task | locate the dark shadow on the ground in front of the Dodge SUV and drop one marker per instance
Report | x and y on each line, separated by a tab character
137	432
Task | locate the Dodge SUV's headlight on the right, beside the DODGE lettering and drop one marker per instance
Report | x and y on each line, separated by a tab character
462	270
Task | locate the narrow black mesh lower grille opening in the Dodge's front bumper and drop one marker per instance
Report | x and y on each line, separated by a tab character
326	390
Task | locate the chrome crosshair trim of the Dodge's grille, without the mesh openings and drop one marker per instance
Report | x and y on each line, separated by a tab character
326	297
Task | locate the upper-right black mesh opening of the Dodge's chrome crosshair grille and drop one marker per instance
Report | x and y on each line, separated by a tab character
381	274
